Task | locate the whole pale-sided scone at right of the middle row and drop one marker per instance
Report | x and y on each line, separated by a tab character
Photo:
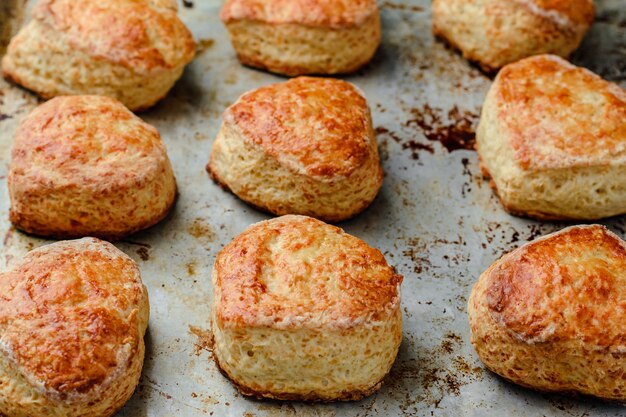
553	139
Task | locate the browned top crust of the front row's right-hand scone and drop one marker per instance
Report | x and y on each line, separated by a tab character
565	286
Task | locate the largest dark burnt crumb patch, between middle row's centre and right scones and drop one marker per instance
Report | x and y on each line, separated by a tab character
457	133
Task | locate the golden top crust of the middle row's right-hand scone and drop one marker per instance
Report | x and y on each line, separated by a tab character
557	115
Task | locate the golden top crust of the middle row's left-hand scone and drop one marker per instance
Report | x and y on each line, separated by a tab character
91	141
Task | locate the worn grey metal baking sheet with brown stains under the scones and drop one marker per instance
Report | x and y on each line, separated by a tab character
435	219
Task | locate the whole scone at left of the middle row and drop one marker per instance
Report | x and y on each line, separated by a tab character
86	166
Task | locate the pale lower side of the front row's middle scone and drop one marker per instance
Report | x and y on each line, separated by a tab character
306	365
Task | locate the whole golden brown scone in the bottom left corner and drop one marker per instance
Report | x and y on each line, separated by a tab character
72	320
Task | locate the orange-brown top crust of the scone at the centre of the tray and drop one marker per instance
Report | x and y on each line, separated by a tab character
315	126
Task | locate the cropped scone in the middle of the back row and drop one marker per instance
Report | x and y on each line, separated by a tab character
297	37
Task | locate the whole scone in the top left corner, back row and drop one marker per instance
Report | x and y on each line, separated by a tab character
131	50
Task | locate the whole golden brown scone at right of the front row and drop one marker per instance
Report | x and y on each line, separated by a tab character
550	315
